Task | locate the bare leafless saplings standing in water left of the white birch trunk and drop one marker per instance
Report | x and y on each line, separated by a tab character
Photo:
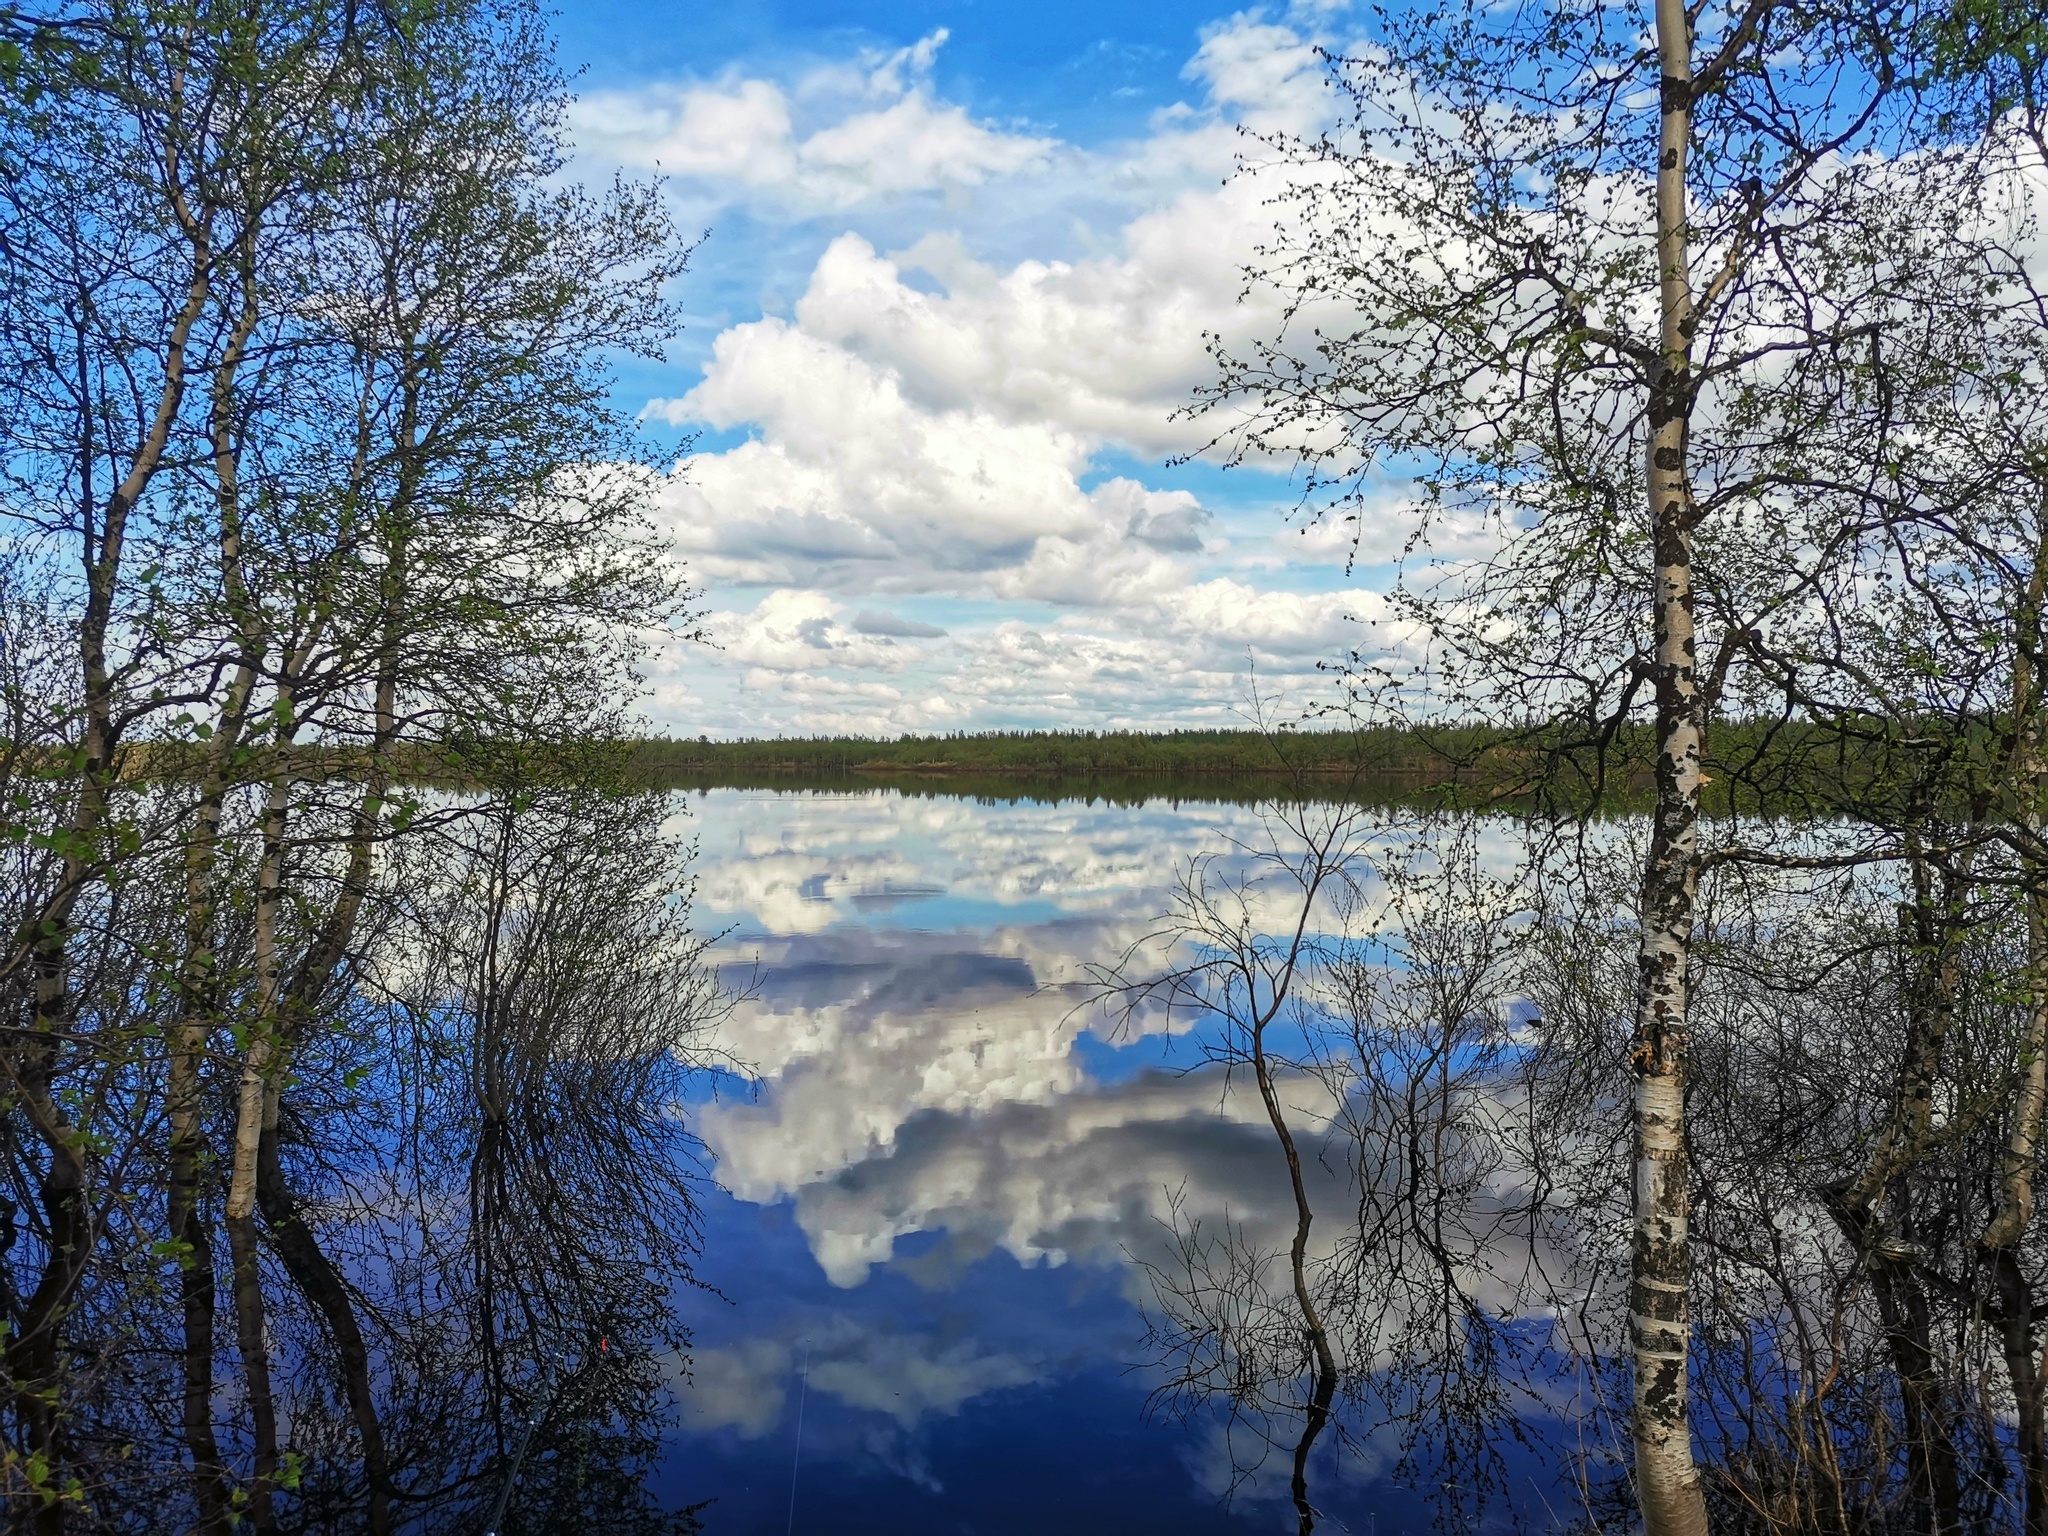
1353	972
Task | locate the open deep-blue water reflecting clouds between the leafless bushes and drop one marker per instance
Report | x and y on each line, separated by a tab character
935	1168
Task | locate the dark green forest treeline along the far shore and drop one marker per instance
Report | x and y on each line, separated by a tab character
1752	767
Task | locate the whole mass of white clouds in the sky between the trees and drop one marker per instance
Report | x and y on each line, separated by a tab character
931	423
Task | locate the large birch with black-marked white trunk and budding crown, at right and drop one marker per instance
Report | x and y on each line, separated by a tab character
1594	280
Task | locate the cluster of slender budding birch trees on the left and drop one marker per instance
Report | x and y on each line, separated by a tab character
310	294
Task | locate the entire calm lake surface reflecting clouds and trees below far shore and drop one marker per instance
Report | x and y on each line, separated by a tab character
962	1228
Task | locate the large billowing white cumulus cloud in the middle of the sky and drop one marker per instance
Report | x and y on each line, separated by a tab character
912	441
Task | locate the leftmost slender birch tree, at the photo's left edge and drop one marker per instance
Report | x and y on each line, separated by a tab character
140	185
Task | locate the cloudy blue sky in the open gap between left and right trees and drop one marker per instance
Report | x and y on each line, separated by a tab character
949	308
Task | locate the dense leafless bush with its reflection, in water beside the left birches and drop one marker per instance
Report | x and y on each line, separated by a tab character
529	1031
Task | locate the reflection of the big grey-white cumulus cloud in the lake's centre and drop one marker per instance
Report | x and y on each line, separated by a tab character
929	1086
